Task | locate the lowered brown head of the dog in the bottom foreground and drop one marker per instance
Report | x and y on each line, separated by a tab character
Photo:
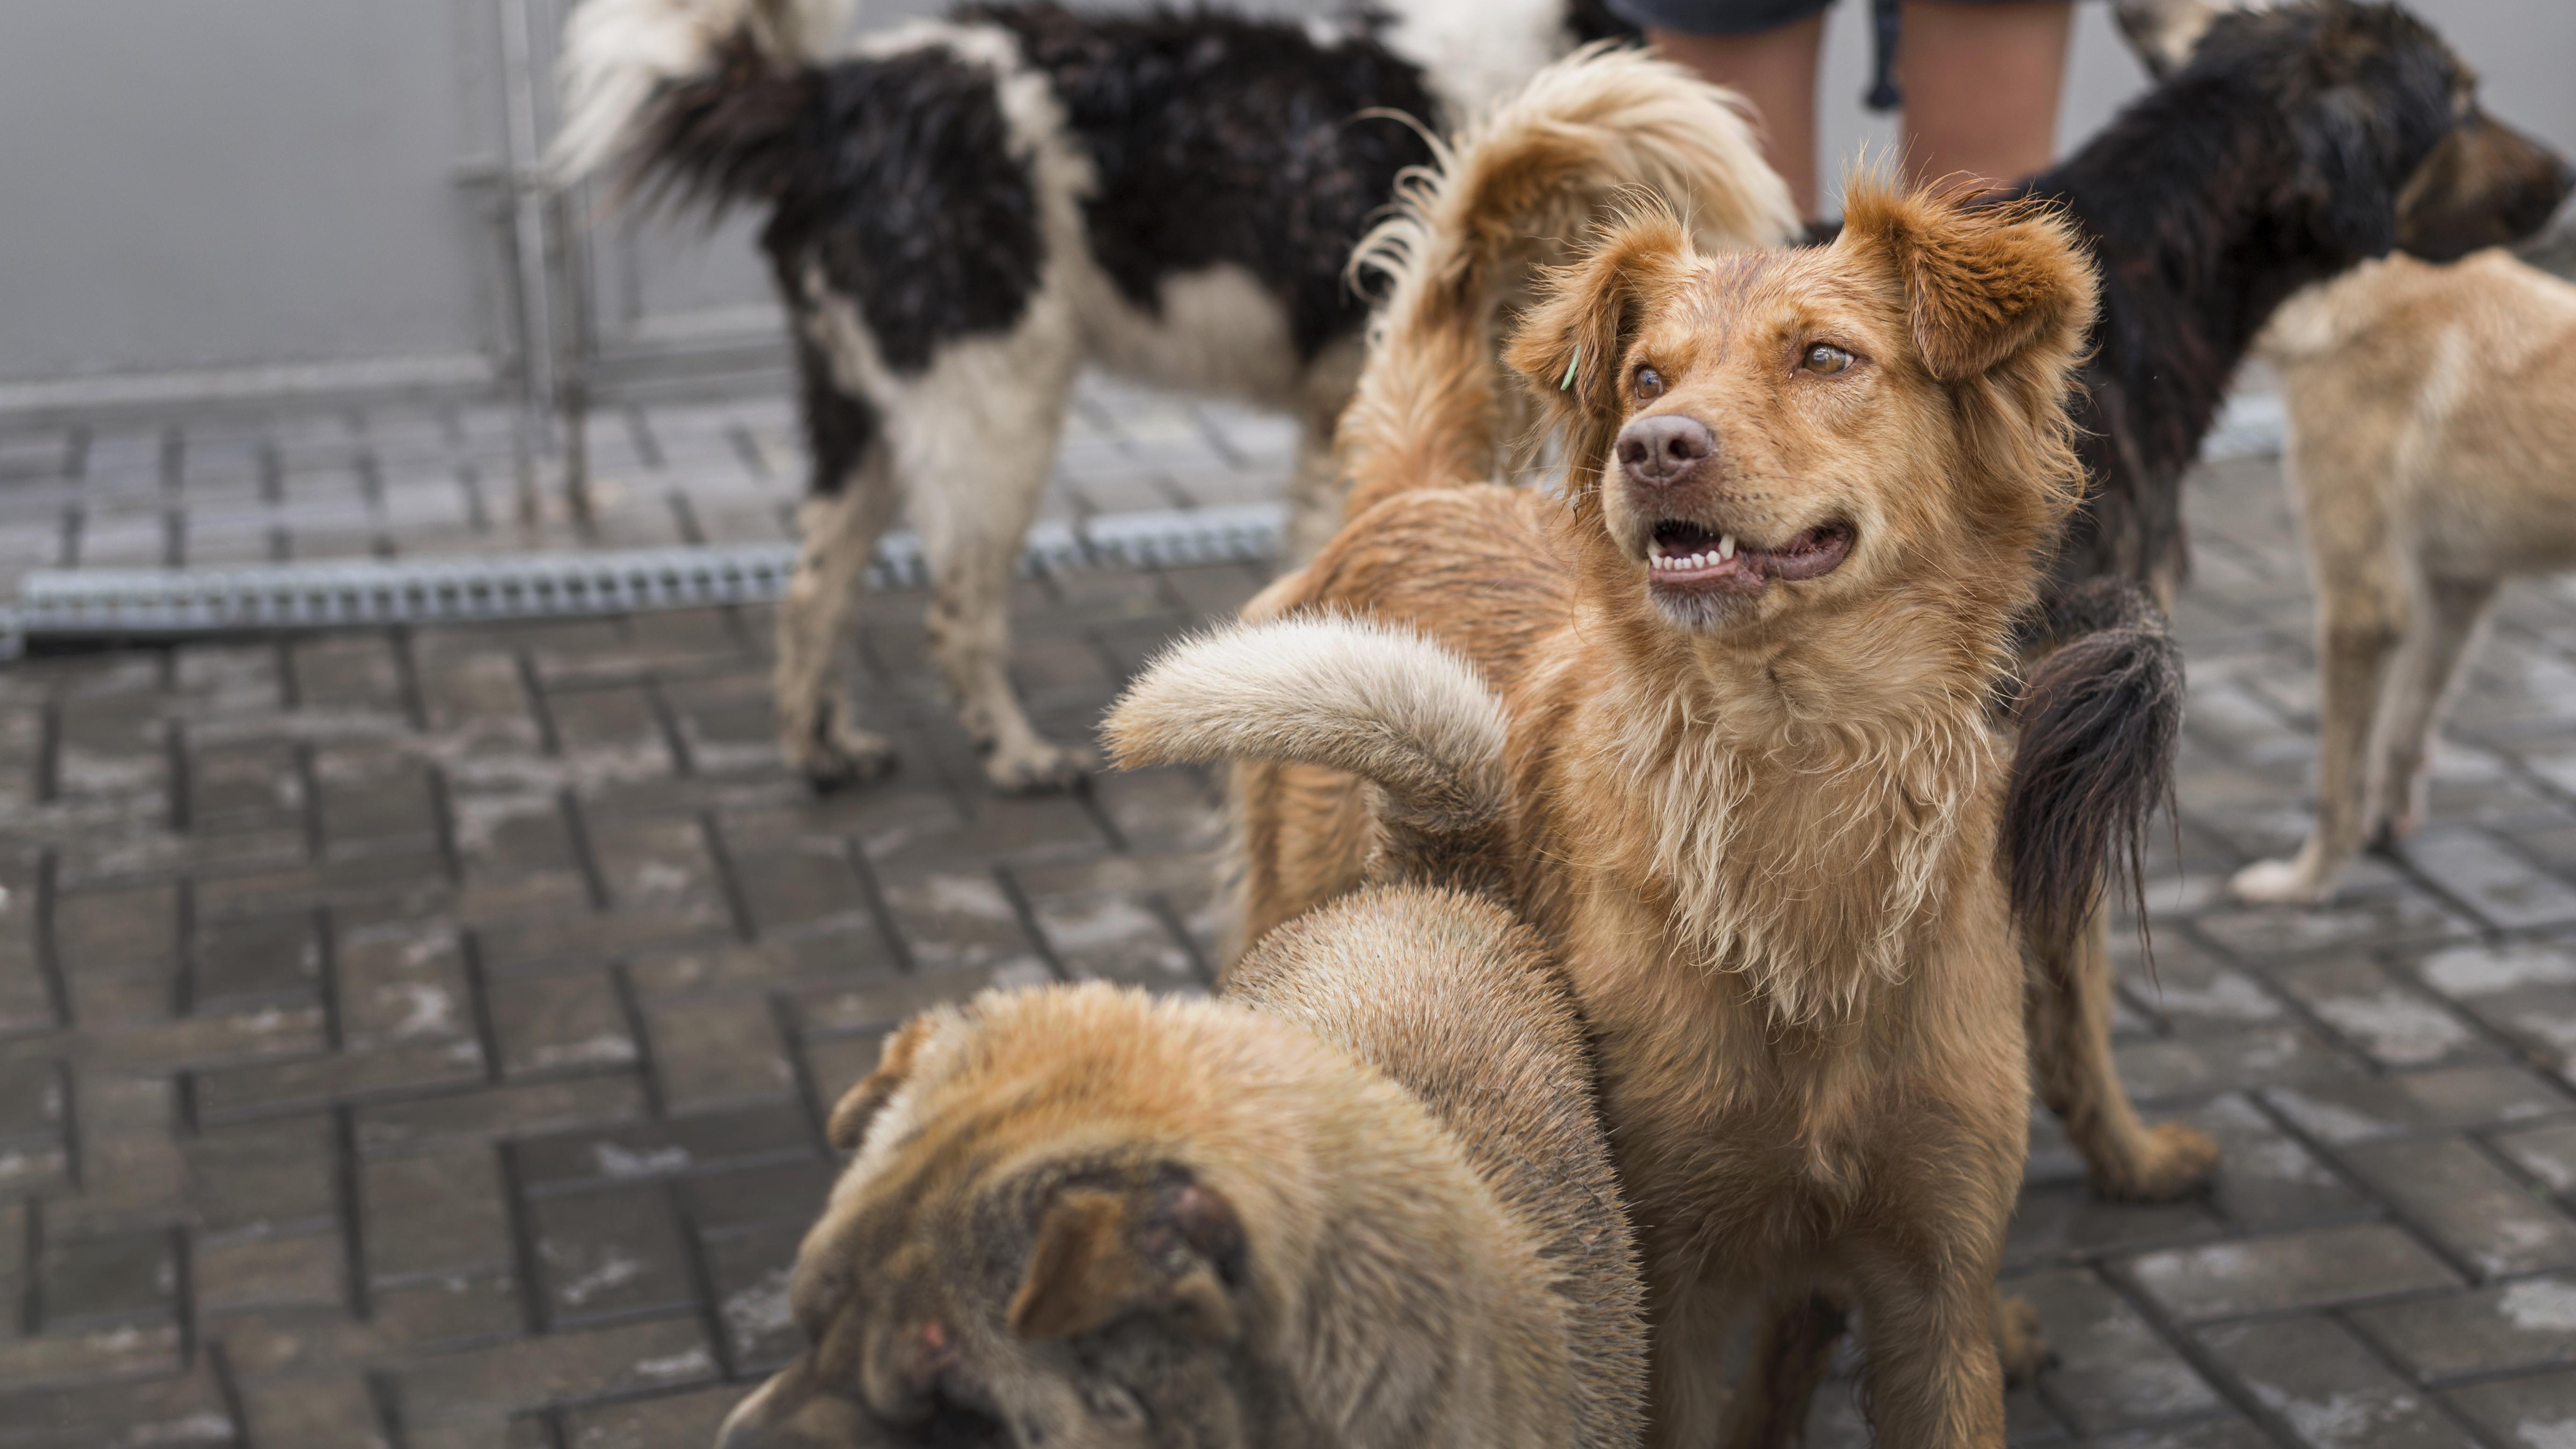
985	1270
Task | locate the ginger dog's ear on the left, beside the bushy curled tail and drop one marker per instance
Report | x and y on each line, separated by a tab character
1570	344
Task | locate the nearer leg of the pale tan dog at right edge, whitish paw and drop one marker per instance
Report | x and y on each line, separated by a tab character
2361	620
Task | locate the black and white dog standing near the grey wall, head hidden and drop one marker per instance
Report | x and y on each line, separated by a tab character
965	213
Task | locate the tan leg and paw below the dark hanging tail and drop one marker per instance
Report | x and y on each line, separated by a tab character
2080	1082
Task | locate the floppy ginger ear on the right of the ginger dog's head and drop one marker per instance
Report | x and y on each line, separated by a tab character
1982	282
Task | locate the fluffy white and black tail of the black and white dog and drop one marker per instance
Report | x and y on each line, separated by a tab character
699	99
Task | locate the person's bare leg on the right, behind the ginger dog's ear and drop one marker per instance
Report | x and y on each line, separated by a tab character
1982	86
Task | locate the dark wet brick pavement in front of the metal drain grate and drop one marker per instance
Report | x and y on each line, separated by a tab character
421	1040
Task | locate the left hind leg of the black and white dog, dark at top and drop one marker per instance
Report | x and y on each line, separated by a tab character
846	512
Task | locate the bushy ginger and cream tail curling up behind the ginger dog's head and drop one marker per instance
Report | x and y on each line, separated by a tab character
1519	192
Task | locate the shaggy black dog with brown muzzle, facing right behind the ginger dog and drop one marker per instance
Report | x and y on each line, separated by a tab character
2291	146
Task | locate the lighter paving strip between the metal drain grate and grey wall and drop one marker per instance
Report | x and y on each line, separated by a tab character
442	481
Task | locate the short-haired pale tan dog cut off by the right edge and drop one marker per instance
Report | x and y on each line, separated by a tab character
2433	455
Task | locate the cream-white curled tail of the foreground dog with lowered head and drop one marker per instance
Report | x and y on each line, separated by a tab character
1349	695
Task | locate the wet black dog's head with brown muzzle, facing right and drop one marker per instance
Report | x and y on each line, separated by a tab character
2394	148
